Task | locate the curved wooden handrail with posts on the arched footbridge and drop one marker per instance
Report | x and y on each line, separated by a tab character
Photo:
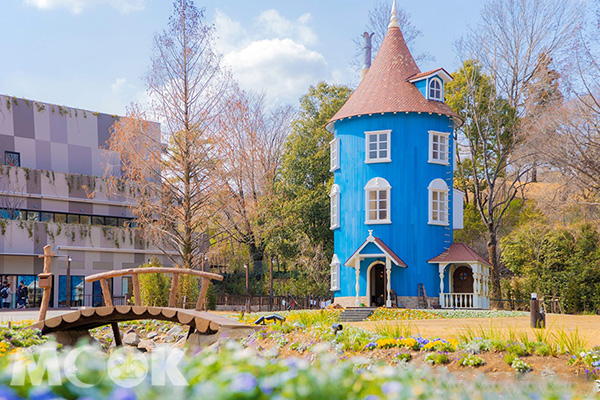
135	272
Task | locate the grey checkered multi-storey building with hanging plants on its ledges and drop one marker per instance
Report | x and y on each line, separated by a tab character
52	191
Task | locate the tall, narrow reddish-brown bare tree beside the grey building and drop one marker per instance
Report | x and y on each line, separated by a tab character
170	176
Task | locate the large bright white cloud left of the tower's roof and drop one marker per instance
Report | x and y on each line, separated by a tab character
273	54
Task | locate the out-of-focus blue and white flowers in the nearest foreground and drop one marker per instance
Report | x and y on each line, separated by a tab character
237	373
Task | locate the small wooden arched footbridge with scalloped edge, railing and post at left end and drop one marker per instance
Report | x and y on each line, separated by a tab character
71	326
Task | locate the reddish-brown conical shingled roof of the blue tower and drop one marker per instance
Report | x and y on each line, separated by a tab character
385	88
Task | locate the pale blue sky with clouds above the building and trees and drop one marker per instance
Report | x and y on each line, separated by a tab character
93	54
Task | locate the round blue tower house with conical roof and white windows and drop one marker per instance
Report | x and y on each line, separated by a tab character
393	207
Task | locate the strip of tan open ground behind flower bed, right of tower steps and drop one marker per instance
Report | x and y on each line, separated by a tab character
587	326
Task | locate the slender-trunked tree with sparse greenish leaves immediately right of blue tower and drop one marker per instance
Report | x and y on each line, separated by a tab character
496	164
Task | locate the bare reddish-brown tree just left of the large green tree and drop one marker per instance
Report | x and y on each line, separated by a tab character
249	147
